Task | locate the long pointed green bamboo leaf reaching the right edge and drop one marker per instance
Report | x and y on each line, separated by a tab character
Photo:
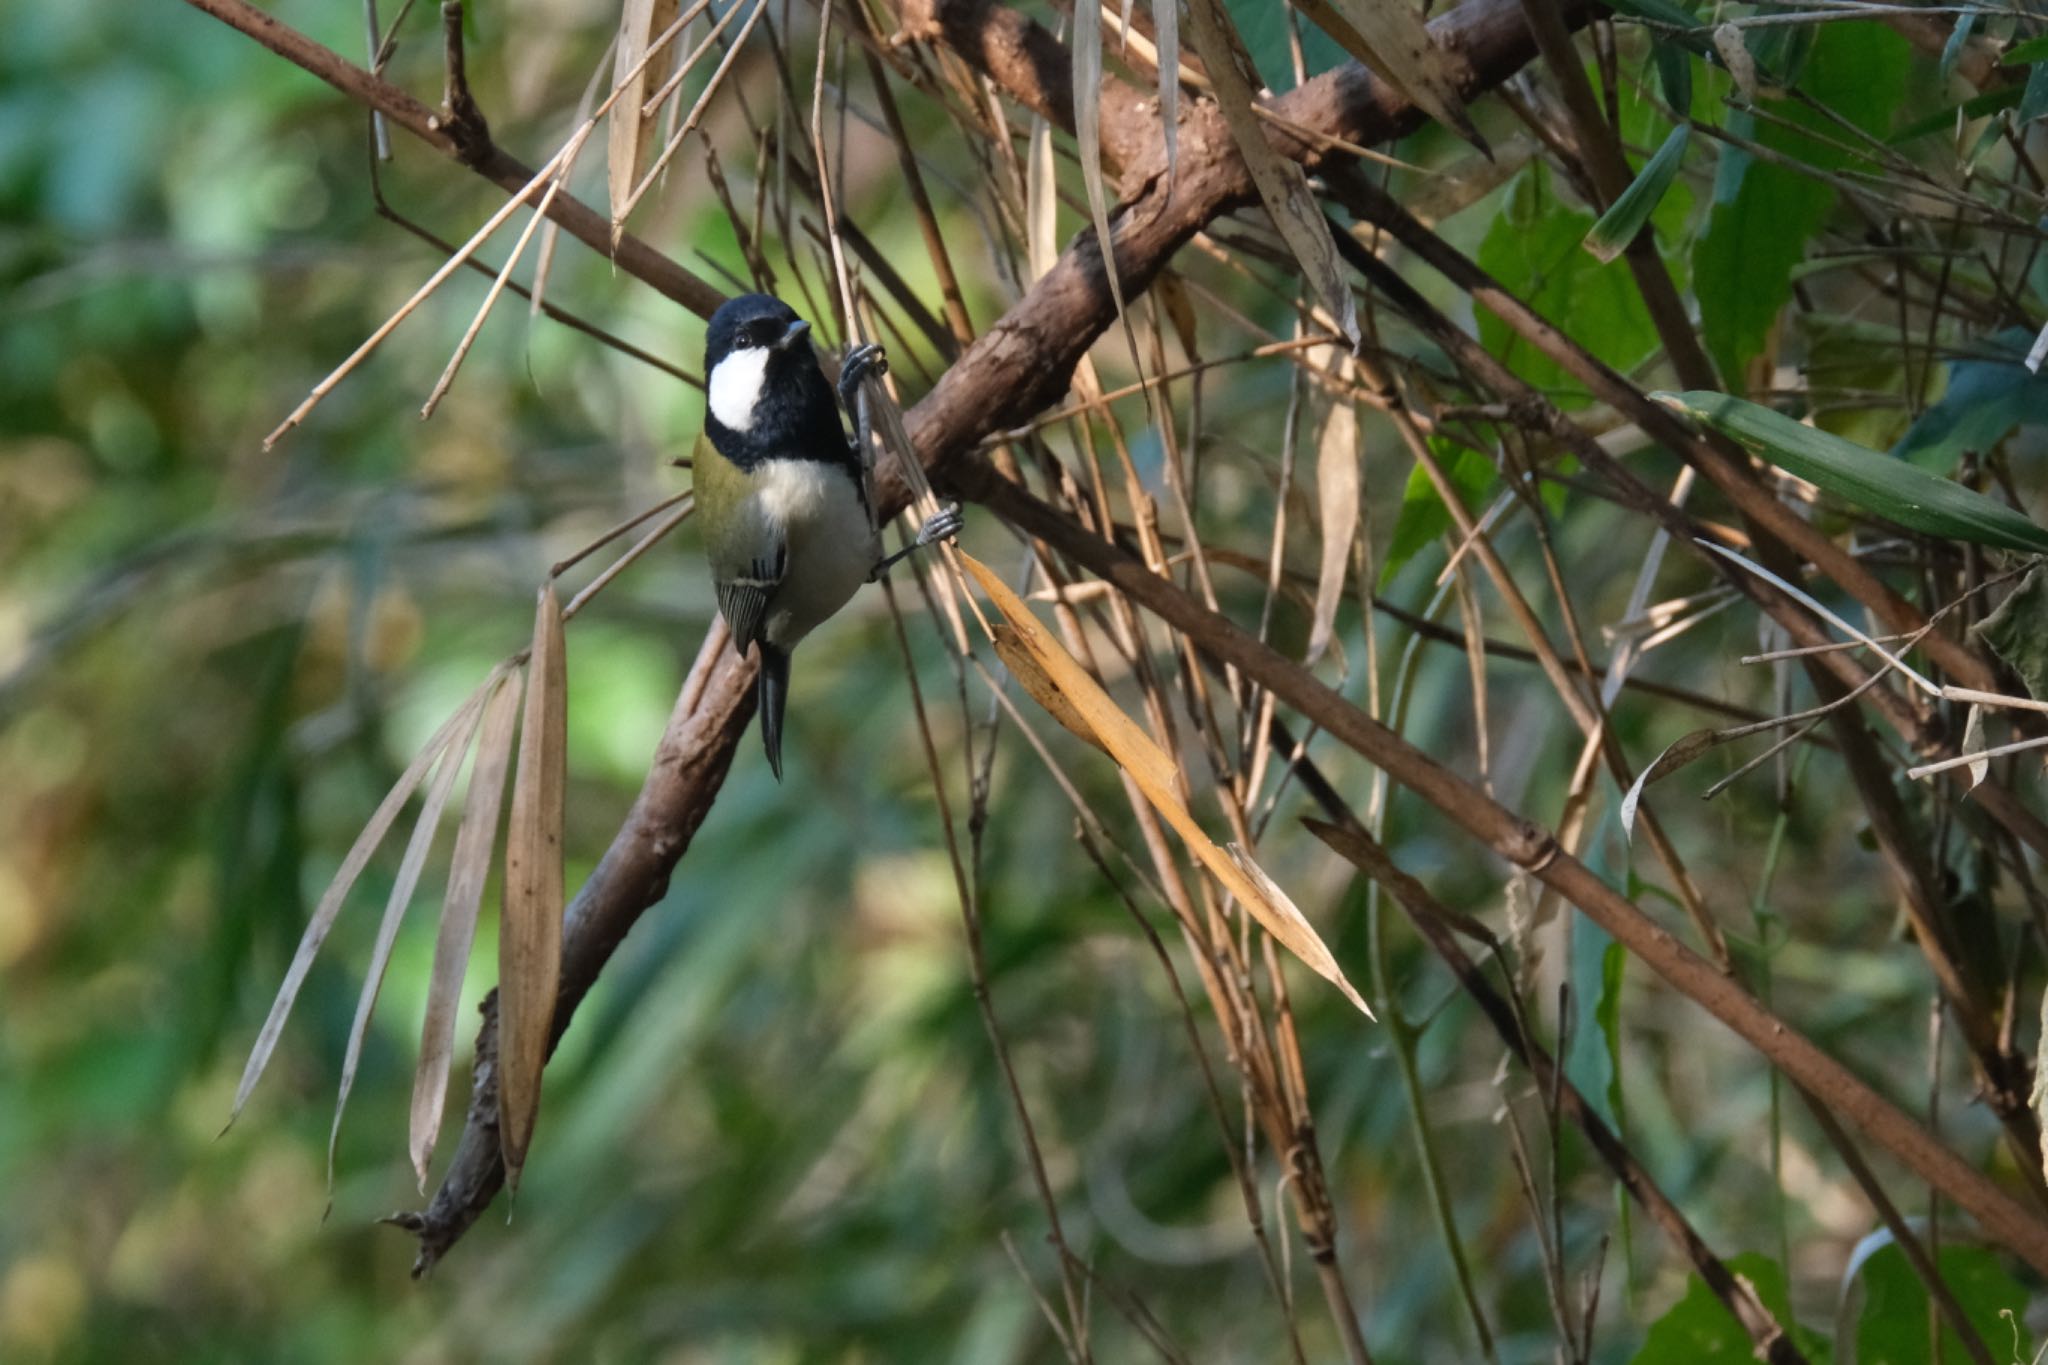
1891	488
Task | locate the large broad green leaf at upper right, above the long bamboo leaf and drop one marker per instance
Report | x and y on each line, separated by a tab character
1764	214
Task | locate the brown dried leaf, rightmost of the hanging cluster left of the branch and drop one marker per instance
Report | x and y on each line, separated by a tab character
529	940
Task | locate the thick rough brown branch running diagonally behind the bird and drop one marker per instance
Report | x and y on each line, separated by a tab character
1011	373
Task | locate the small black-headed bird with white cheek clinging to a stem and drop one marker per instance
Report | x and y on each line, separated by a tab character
781	494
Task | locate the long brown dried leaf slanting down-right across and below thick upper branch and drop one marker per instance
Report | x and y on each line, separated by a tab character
1281	183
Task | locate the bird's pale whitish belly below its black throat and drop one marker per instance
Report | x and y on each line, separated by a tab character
833	545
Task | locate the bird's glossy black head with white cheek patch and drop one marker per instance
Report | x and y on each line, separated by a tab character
765	394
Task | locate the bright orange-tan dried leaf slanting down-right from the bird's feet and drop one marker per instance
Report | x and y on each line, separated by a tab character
1154	773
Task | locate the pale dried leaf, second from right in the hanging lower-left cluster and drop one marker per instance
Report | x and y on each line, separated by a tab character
476	838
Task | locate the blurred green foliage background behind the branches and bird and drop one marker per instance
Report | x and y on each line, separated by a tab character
777	1131
